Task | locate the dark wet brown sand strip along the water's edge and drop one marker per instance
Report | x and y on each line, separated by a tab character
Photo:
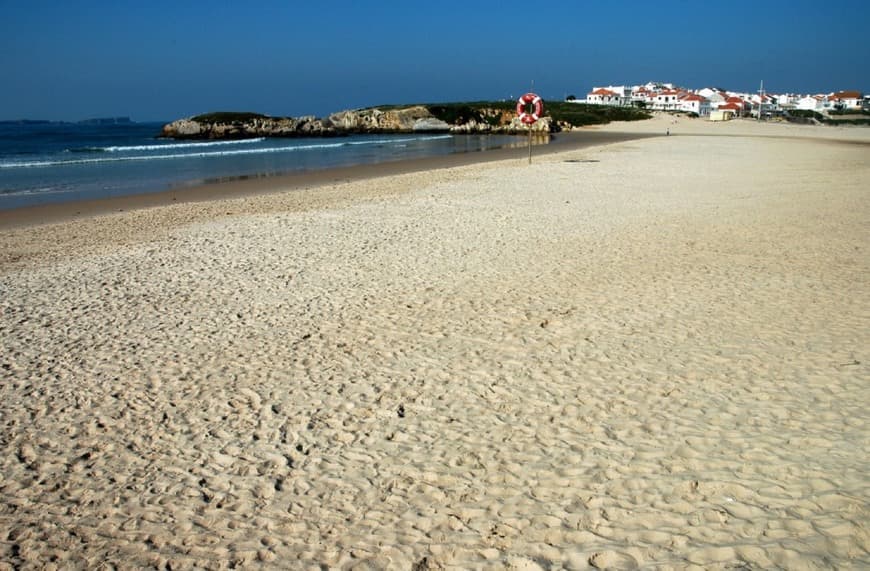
242	186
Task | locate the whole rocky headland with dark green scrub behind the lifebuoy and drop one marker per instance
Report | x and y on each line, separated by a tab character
472	117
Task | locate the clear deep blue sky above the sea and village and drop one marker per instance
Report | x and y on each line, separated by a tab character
160	60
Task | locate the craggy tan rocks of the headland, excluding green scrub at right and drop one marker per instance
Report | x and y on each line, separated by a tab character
417	118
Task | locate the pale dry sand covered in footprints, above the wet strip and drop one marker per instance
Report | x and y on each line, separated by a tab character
648	354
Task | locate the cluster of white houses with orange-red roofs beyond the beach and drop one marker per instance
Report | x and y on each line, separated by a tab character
721	105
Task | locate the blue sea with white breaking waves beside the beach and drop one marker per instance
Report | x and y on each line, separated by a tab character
43	163
